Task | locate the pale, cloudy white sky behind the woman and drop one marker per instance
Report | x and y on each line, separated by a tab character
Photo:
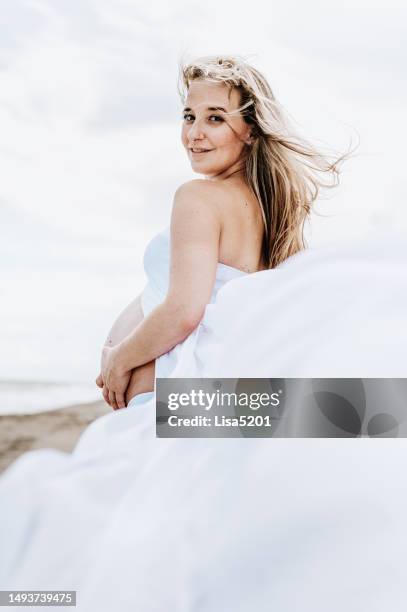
90	149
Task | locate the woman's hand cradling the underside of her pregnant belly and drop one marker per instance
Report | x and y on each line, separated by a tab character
113	377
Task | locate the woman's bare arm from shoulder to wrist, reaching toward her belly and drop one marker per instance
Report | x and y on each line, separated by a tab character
195	236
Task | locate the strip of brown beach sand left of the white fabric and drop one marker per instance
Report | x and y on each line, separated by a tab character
58	429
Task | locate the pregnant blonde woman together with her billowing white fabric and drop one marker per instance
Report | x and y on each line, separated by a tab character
136	522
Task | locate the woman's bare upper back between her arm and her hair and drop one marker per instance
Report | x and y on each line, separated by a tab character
242	228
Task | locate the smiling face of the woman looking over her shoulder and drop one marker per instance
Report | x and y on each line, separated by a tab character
205	126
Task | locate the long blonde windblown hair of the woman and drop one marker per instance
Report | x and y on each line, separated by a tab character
281	168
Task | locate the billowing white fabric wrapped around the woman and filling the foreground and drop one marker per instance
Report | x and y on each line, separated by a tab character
133	522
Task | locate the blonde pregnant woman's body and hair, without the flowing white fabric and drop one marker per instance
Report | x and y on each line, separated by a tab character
246	213
